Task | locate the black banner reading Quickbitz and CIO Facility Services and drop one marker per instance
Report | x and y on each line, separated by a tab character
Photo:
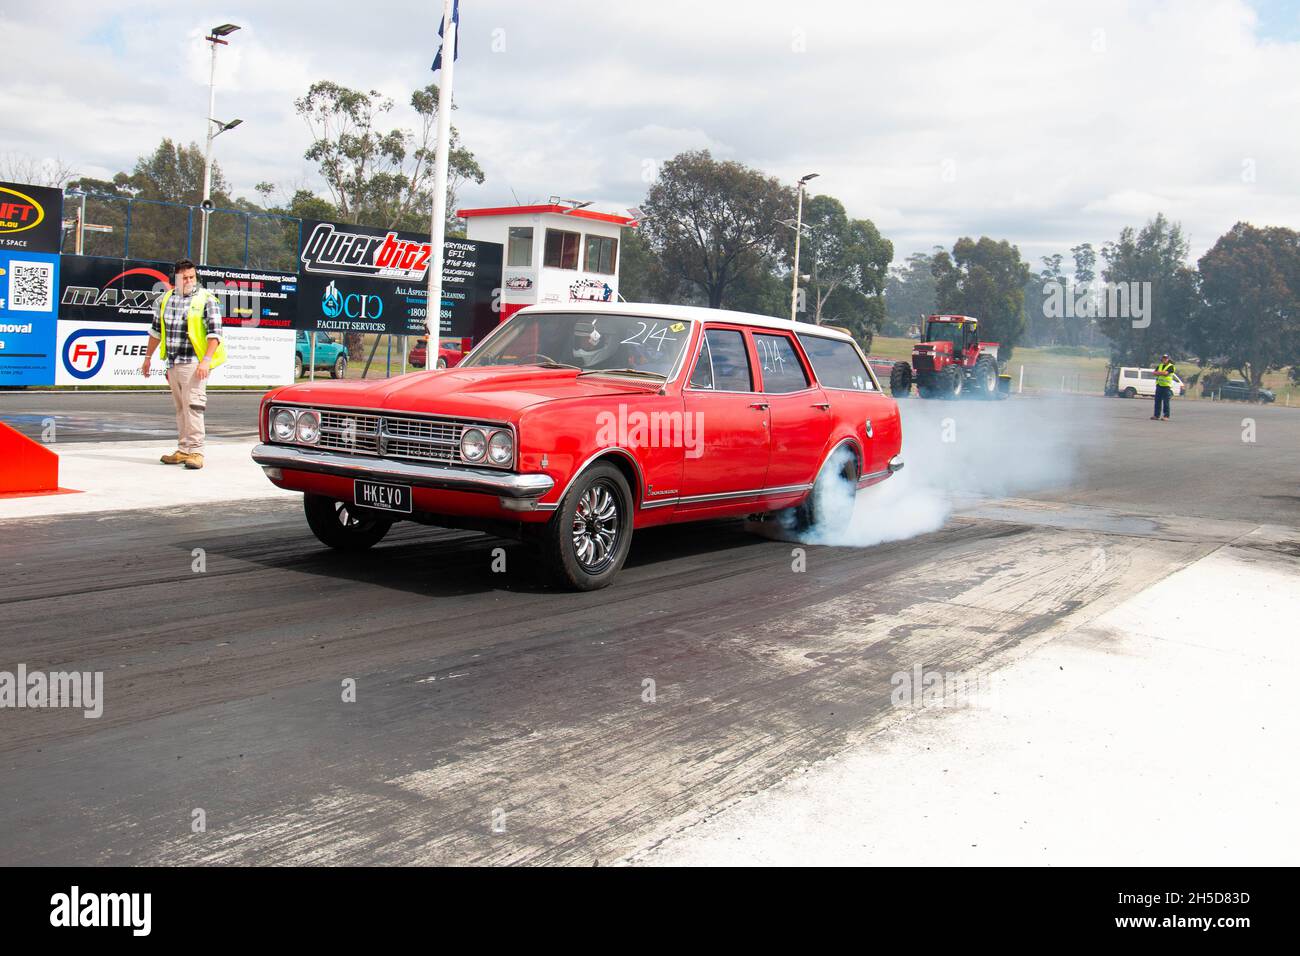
357	279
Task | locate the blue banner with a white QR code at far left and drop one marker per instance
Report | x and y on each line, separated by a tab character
29	285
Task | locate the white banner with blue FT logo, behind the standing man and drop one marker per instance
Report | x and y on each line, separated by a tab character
112	354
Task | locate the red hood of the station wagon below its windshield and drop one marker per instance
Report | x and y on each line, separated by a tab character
492	393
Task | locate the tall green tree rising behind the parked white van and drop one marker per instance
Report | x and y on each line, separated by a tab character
1158	257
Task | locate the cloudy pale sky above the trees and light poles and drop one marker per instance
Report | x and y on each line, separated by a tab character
1019	120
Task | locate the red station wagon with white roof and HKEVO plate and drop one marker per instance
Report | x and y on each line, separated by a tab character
574	425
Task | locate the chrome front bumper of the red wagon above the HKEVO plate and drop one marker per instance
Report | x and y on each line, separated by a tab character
440	477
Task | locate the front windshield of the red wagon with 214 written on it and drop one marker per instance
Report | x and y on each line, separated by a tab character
587	341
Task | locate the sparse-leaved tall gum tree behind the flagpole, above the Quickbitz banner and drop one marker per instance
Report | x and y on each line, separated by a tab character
380	178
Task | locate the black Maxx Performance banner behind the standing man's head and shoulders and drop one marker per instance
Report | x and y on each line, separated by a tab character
127	291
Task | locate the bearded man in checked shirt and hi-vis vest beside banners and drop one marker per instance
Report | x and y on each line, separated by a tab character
188	326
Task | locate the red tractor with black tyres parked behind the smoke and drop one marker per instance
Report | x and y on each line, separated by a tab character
948	362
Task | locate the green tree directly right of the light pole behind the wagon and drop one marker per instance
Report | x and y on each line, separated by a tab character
843	256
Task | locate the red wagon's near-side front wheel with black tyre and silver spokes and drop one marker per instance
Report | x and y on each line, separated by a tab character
587	542
